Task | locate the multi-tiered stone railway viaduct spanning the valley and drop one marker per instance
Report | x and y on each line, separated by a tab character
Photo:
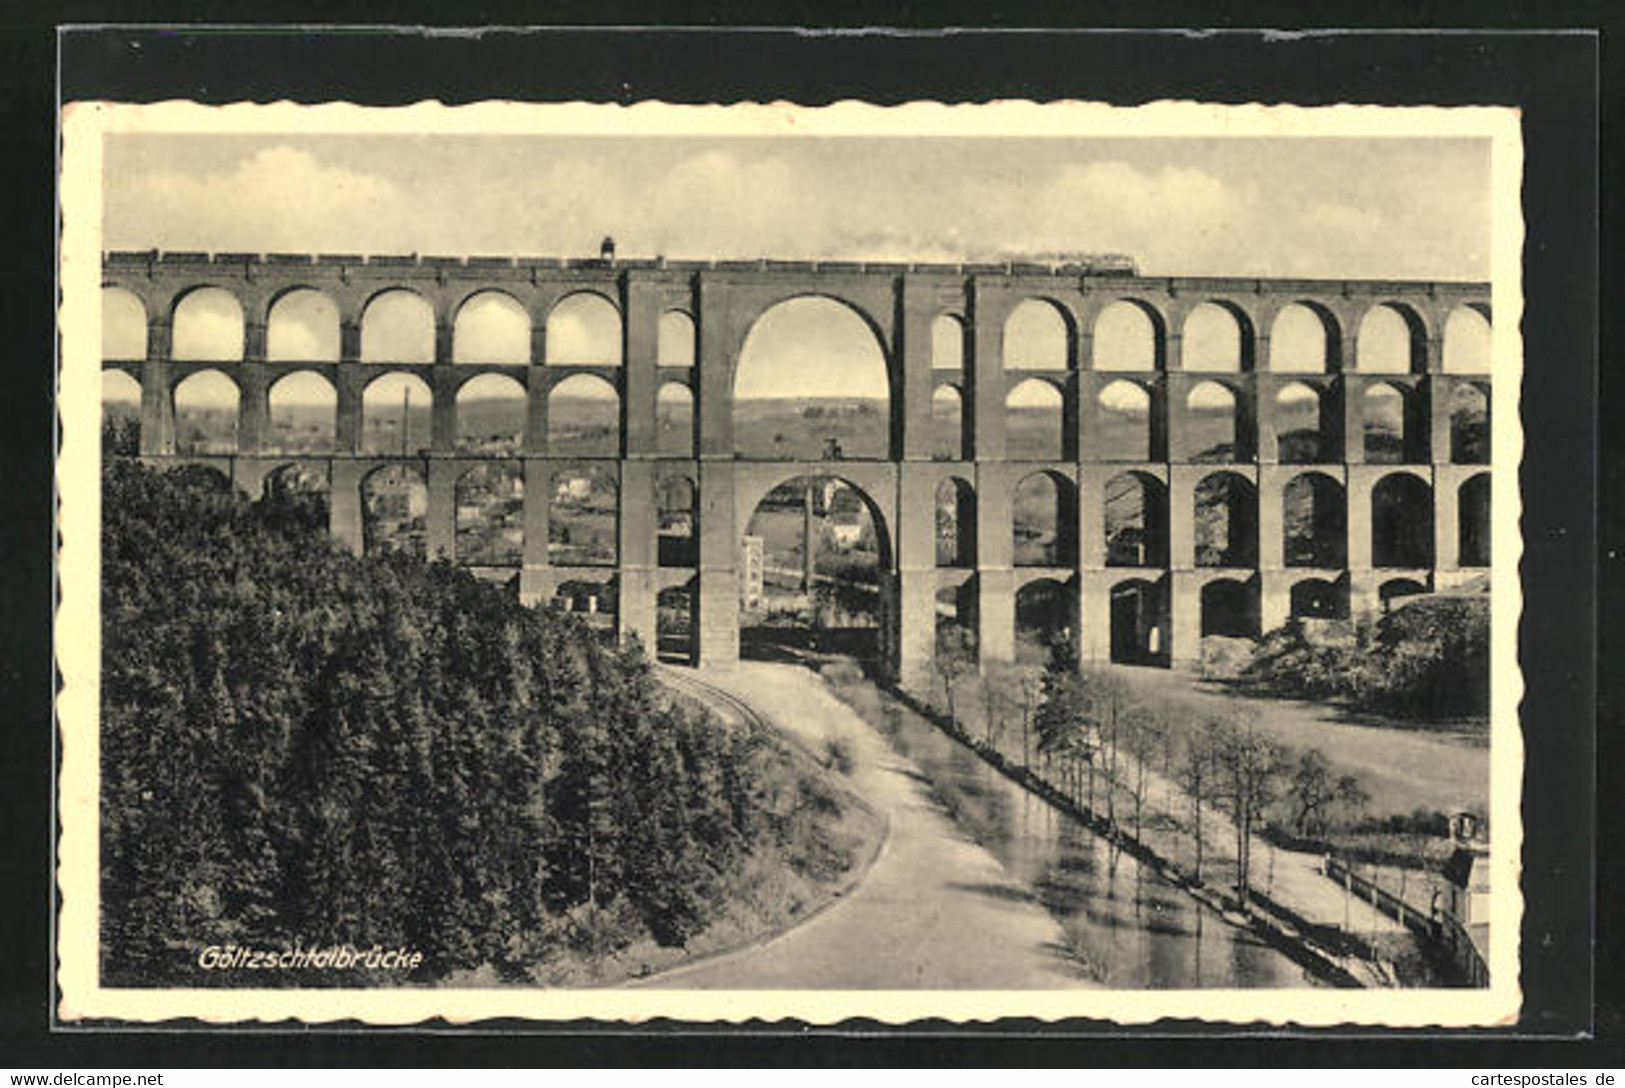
899	304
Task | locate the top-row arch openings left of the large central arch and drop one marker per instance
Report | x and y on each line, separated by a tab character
397	326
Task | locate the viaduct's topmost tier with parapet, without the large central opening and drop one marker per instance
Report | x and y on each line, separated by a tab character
215	313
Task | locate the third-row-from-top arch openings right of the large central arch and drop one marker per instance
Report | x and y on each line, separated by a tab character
1224	520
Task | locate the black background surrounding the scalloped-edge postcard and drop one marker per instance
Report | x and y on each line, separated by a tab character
1553	77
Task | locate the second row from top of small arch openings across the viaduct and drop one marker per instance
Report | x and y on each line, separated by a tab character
492	420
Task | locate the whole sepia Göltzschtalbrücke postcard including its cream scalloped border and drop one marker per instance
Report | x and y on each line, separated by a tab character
768	561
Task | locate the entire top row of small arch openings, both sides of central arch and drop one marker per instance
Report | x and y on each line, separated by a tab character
586	329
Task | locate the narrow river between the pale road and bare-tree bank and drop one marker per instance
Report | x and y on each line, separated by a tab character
1132	928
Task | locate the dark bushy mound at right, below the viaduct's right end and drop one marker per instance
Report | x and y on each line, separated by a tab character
1426	660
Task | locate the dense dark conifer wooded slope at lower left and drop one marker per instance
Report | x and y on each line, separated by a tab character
308	748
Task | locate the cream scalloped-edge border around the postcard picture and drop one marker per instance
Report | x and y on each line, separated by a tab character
77	626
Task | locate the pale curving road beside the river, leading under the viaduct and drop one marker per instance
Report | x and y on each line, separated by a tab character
937	912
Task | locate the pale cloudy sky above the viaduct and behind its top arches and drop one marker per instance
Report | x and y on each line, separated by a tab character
1393	209
